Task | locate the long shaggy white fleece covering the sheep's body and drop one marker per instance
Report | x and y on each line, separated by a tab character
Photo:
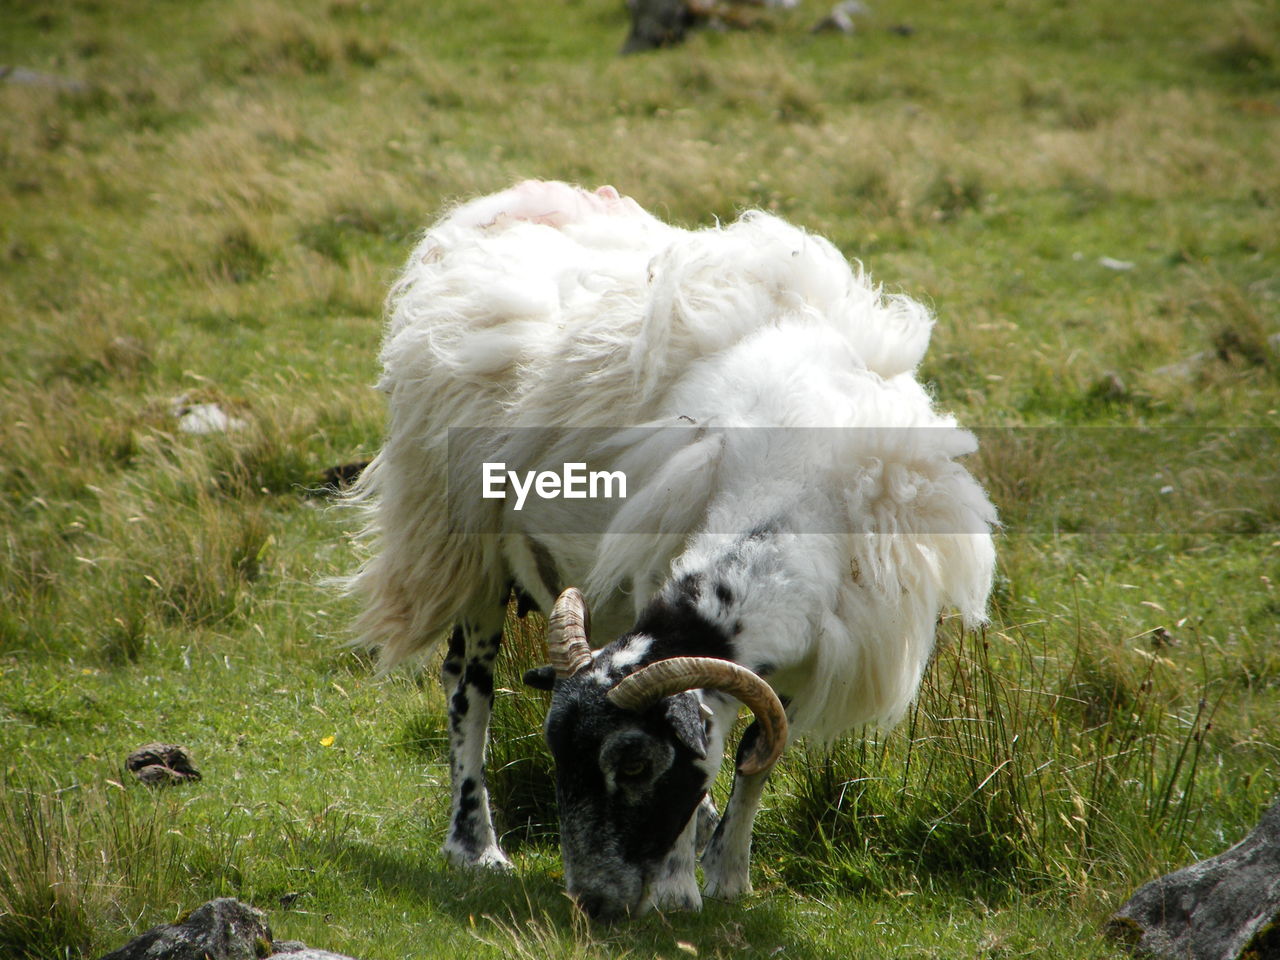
548	307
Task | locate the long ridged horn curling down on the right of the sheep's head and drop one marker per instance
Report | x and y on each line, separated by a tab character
673	676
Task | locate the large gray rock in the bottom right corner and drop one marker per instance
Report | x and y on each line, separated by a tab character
1227	908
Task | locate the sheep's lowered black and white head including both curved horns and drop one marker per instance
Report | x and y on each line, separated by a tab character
632	758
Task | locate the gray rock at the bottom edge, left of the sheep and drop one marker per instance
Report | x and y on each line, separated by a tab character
221	930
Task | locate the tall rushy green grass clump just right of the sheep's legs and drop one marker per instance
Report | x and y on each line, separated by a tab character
1012	767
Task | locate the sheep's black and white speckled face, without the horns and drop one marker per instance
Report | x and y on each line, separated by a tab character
627	787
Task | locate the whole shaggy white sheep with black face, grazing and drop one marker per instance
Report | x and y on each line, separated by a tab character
796	518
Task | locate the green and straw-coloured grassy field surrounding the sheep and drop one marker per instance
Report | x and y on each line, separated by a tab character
205	204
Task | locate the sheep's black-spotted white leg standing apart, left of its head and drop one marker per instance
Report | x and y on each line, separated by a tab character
468	679
